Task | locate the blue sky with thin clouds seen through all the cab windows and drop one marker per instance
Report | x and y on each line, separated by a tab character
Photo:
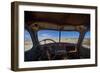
43	34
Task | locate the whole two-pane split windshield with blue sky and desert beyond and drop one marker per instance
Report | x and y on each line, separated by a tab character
58	36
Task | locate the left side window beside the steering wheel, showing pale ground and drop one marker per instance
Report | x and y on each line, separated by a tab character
28	44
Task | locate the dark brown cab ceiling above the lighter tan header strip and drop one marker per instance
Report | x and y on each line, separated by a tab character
58	18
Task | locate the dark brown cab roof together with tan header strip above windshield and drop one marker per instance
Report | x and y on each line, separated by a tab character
51	20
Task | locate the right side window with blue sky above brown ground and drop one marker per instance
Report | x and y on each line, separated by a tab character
86	41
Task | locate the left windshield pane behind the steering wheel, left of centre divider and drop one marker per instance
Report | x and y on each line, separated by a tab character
48	34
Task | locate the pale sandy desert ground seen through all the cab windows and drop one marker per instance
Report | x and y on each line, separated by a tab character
86	42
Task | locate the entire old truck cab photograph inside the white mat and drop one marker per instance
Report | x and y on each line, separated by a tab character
56	36
